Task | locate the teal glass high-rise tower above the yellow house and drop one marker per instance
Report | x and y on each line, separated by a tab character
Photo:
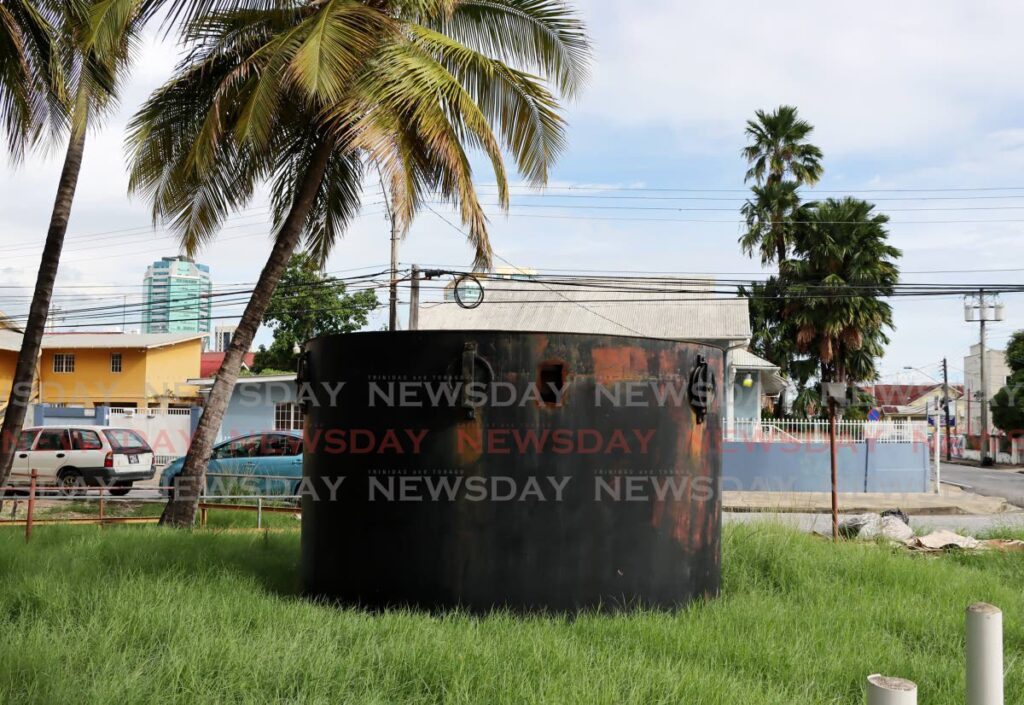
178	297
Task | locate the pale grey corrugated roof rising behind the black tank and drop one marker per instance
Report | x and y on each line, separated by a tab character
527	306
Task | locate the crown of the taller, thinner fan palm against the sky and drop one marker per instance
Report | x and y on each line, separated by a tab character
781	160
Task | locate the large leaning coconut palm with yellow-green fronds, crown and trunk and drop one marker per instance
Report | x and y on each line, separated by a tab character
308	97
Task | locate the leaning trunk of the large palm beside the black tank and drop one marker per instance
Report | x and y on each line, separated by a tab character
181	510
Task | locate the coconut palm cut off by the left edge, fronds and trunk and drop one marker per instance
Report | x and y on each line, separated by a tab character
69	79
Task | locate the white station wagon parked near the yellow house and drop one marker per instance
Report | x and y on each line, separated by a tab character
72	458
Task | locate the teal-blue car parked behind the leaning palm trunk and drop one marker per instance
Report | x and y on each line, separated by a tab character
268	464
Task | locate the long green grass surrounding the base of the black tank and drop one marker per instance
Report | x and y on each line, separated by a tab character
147	615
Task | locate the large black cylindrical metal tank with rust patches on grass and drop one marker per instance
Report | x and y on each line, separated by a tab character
506	470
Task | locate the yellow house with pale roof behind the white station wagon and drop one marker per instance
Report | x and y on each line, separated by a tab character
114	369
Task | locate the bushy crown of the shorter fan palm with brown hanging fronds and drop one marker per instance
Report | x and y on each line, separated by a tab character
837	285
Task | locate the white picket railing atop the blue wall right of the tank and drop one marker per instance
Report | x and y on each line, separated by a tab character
816	431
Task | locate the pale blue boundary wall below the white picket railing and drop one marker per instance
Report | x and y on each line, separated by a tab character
806	468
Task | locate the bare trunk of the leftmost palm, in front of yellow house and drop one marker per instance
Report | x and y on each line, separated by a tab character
25	371
